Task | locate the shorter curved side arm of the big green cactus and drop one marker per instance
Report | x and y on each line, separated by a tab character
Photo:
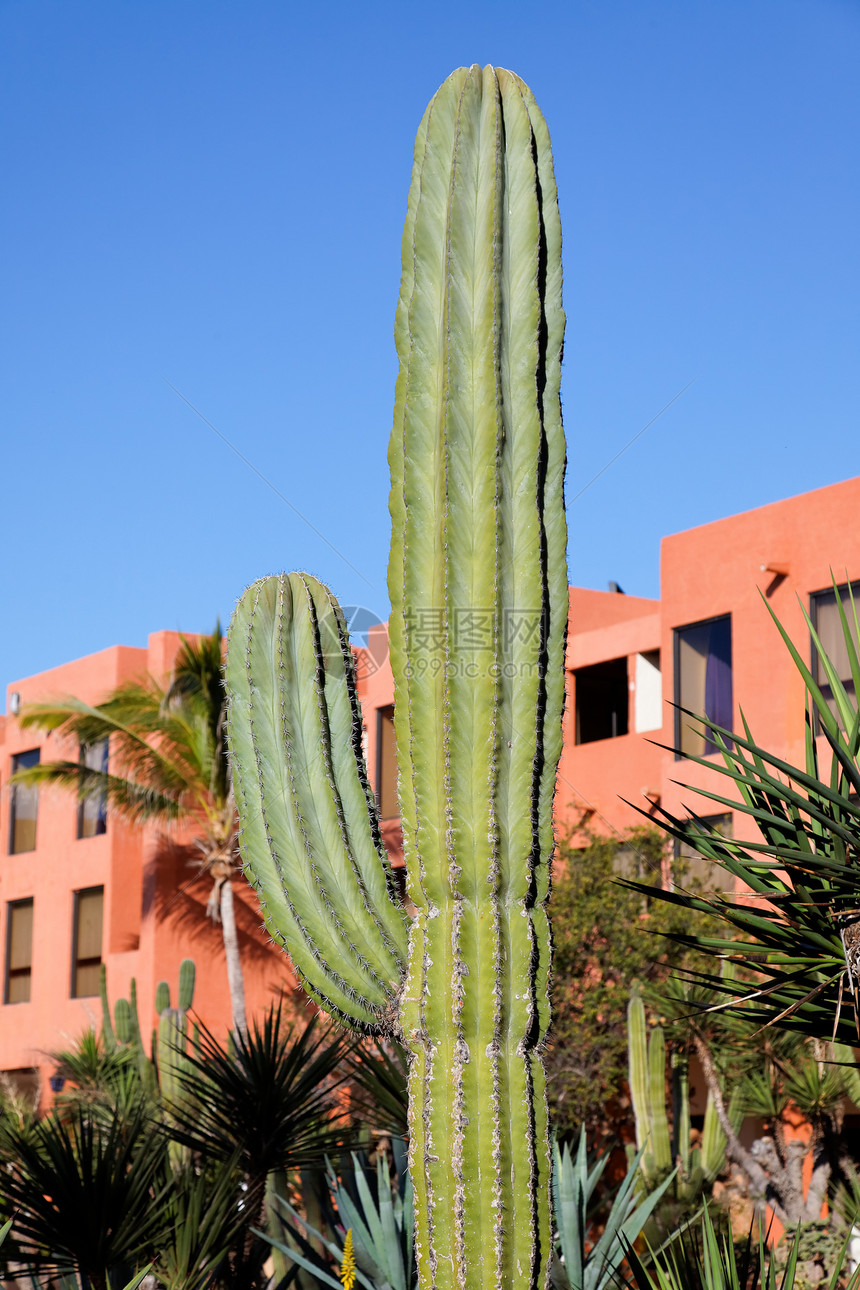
309	828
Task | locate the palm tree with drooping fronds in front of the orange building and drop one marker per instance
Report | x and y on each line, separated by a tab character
168	767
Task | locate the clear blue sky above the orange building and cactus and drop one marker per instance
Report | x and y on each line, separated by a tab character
211	197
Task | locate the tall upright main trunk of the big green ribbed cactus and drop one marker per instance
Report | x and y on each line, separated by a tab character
470	542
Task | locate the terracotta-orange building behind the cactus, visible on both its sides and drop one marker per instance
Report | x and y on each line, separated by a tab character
79	888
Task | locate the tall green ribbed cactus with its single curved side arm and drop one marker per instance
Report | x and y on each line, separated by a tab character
479	594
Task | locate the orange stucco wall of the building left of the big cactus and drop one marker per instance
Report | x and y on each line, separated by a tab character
154	902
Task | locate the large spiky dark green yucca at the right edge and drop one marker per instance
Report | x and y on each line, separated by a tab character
794	954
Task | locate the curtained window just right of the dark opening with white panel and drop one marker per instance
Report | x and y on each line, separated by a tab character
702	684
